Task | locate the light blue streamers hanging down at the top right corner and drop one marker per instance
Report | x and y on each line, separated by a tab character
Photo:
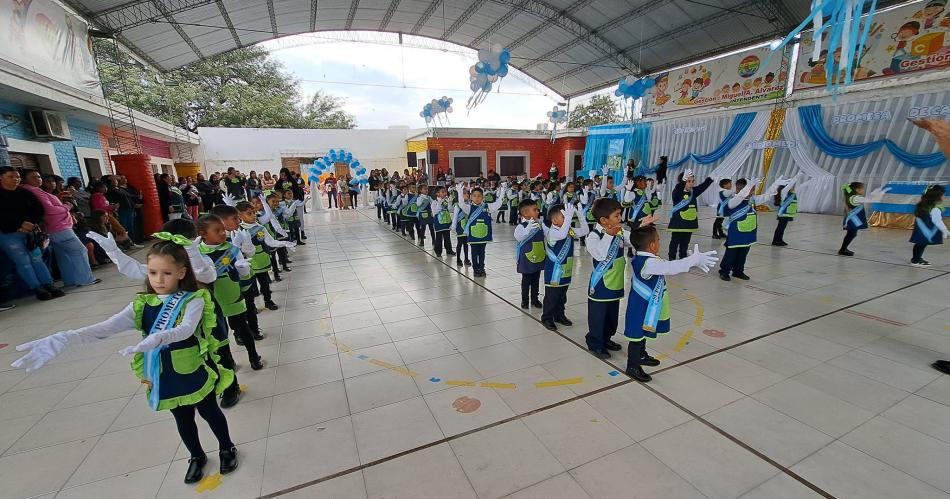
838	24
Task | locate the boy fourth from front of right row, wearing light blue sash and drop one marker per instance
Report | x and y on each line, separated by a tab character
529	252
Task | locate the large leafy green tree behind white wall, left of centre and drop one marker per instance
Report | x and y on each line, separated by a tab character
240	88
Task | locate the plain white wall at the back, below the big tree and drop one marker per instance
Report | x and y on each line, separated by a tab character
261	149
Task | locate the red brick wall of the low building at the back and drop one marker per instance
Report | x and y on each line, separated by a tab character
543	152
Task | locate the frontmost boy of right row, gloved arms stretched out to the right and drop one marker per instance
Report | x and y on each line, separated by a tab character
648	307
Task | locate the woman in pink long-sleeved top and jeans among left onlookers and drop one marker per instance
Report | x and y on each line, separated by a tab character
71	255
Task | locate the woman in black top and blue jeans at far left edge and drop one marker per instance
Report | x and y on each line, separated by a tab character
20	234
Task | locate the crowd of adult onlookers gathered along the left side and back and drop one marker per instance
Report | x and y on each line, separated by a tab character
47	220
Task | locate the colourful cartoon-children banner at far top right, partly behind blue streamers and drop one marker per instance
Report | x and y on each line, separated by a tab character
908	39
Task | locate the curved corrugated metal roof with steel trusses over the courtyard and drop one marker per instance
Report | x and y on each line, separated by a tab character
572	46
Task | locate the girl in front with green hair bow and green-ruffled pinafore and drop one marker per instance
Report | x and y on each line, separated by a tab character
173	359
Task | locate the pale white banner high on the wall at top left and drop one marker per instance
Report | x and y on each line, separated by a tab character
42	37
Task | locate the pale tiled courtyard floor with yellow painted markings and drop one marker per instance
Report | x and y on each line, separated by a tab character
392	374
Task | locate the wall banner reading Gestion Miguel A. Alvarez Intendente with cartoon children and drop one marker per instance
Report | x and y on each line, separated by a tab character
743	78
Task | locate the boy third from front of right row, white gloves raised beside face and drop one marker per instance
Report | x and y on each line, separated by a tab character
559	262
